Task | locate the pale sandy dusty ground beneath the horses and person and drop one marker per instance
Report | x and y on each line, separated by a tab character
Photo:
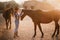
26	30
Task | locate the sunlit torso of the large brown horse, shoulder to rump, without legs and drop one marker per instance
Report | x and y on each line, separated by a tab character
46	17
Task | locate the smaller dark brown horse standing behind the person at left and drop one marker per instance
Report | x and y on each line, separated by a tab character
7	16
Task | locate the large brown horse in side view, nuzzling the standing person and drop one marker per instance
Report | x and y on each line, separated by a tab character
38	17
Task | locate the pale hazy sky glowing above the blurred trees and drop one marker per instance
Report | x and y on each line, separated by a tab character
54	3
